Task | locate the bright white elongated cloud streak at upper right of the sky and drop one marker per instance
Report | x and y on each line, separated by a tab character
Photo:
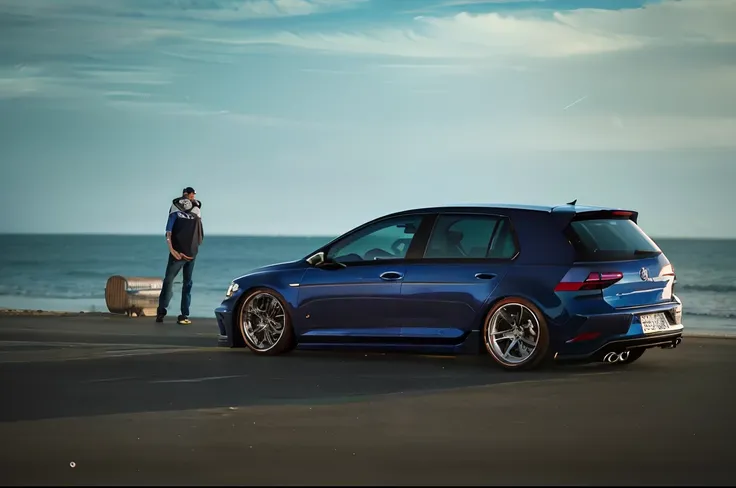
576	32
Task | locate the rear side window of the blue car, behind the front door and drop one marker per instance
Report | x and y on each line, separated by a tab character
471	237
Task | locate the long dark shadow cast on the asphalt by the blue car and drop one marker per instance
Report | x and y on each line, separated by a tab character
235	377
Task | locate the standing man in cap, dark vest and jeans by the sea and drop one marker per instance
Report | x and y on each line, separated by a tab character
184	234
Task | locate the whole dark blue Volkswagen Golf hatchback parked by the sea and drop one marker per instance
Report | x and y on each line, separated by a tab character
522	284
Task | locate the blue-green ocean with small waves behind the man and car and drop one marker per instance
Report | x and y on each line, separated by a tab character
69	272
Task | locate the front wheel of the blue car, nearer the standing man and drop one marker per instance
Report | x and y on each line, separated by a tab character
264	297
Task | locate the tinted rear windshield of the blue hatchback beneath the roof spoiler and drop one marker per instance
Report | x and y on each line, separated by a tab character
610	240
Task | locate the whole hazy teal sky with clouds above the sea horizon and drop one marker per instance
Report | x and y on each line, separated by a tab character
309	117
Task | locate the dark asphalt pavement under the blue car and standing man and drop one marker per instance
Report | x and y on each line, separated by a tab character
113	401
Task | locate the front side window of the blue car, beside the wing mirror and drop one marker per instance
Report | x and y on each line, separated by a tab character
387	239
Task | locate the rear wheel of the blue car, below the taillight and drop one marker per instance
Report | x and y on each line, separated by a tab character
513	361
